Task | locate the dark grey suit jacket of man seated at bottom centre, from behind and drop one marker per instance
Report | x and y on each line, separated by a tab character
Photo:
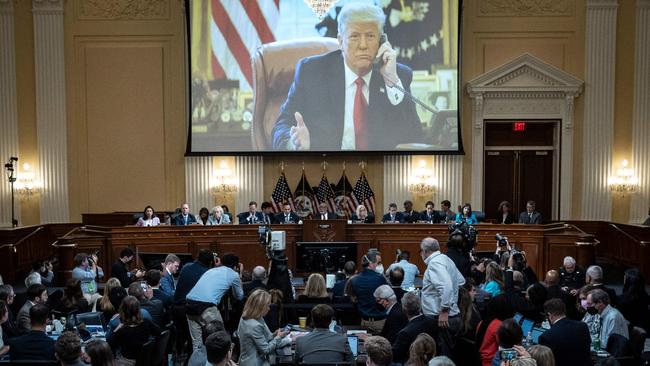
322	346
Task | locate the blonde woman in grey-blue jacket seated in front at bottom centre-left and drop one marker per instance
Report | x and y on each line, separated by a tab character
256	341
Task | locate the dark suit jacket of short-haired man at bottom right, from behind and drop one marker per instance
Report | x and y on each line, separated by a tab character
570	341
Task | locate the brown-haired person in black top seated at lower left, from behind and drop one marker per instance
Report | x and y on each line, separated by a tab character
132	332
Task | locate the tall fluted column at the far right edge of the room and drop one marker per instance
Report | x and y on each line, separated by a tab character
641	113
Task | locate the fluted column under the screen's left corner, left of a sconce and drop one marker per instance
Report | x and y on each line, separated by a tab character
198	172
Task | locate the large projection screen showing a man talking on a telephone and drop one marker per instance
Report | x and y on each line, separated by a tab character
237	107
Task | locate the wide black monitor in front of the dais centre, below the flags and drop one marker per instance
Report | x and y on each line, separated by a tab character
324	257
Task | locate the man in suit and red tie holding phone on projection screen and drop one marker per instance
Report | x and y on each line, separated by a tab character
342	100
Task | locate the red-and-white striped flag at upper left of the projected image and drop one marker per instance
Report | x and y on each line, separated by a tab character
237	28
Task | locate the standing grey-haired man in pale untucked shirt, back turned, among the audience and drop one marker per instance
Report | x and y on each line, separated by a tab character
440	288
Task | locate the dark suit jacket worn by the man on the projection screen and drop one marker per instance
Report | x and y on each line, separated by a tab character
318	93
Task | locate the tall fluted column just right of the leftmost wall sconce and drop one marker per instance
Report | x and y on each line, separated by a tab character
51	124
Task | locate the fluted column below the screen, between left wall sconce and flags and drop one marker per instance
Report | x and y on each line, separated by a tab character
249	171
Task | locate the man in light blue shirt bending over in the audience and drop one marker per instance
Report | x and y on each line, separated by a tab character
205	296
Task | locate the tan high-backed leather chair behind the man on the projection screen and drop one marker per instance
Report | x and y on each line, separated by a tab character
274	65
